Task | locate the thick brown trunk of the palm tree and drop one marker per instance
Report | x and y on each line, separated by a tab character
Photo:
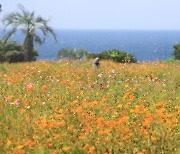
28	48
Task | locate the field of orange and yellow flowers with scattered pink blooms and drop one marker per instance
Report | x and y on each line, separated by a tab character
70	107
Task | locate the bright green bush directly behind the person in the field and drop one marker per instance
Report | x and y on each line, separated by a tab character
115	55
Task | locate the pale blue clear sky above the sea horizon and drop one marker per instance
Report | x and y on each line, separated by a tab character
103	14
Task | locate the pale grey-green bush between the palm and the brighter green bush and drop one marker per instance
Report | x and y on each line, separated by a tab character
67	53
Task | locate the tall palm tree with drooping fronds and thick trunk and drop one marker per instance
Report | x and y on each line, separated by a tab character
30	25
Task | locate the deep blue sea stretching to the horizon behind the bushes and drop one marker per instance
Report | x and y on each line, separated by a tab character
144	45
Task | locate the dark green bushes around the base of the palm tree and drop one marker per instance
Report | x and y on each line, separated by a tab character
13	52
